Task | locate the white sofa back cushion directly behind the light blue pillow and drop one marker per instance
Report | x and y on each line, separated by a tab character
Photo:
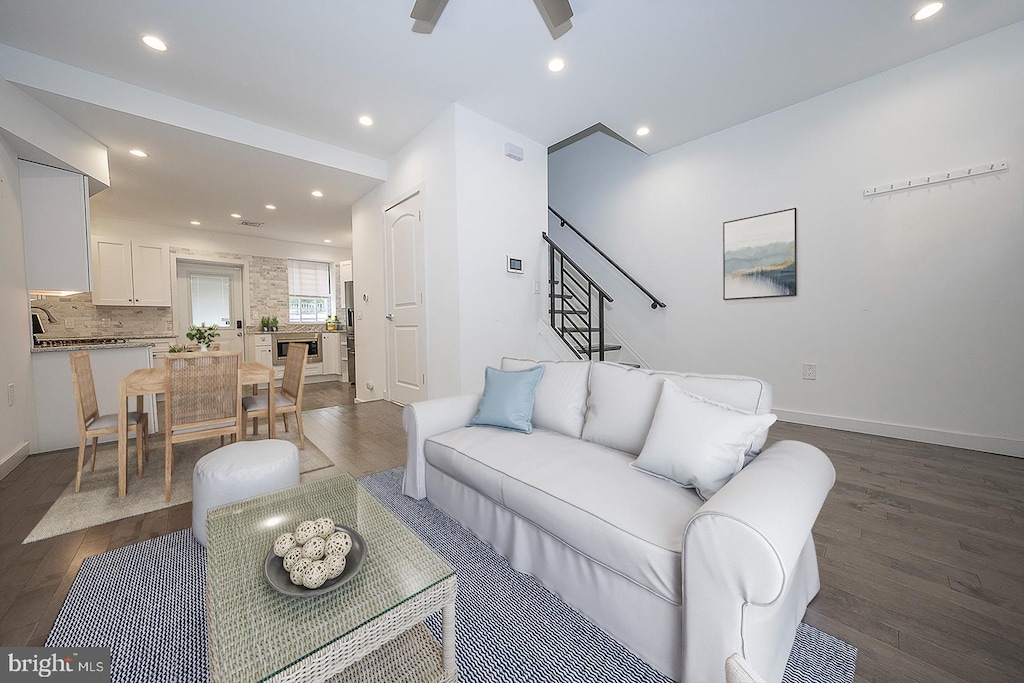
561	402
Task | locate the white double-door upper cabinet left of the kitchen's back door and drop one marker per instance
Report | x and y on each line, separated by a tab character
131	273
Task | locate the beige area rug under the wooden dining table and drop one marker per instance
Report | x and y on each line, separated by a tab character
98	502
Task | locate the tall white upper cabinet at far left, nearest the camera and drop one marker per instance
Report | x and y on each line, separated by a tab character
56	222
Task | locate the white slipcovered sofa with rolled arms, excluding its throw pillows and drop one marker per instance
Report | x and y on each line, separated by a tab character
682	582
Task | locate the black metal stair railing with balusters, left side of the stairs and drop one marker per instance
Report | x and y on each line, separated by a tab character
573	300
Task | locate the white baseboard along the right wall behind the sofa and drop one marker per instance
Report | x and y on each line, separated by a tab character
998	445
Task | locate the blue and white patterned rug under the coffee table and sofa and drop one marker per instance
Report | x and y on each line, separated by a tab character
510	628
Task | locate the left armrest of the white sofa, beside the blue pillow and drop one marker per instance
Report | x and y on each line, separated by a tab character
425	419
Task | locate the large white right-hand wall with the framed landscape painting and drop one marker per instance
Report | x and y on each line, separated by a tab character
911	304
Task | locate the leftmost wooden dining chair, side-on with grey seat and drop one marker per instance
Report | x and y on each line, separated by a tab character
93	425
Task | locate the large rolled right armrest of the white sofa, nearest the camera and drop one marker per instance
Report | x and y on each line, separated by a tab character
743	547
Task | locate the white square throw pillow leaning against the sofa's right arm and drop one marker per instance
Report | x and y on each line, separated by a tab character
697	443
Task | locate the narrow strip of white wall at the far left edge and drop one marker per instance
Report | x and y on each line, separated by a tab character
18	422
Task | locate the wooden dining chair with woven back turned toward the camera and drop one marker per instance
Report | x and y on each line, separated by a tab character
203	399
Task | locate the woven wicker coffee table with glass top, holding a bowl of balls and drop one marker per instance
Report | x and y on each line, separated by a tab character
371	629
